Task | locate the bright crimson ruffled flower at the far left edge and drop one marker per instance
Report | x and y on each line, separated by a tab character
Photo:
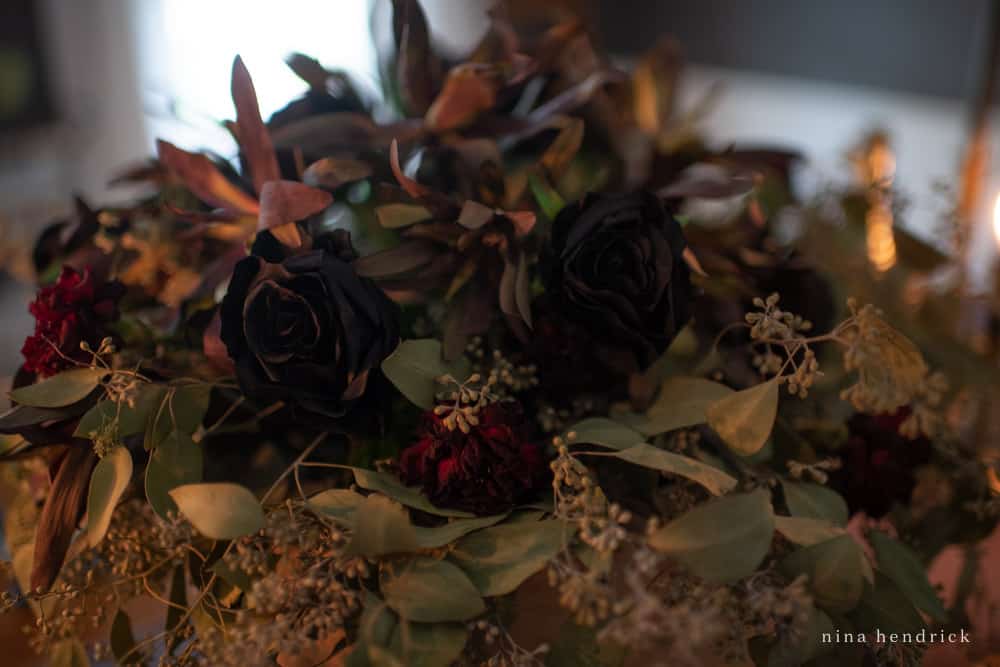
75	309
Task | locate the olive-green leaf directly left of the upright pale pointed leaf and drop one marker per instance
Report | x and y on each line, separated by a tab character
681	402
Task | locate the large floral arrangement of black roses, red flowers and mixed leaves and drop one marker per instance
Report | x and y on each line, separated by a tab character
432	391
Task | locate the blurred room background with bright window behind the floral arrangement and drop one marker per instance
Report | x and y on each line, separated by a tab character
85	88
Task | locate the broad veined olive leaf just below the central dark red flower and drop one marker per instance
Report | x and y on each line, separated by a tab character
500	558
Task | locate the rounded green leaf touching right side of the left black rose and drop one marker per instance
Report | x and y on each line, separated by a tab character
415	366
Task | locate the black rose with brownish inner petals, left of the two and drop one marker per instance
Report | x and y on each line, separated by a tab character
308	330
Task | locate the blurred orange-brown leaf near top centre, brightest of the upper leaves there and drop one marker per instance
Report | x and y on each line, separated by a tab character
469	90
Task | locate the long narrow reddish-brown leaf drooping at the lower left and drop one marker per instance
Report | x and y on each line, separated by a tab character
62	511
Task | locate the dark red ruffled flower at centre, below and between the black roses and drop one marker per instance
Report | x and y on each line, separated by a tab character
485	471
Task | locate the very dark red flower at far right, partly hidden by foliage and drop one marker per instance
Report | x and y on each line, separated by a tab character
879	465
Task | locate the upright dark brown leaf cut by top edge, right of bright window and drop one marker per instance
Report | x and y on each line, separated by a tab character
417	68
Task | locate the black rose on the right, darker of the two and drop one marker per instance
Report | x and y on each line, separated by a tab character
615	267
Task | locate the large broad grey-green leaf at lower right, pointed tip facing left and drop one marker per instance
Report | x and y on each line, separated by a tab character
723	540
